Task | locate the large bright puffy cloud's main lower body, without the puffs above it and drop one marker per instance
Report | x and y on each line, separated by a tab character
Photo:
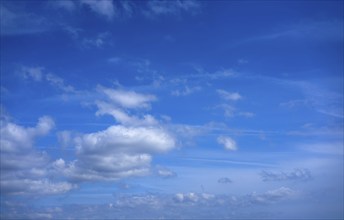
116	153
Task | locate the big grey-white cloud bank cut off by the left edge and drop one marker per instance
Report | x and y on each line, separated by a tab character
23	169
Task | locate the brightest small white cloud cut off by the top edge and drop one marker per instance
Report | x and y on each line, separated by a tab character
102	7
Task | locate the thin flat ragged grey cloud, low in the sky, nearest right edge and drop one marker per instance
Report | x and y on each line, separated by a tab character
297	175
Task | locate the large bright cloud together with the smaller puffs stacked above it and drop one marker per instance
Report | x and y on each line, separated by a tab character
121	150
